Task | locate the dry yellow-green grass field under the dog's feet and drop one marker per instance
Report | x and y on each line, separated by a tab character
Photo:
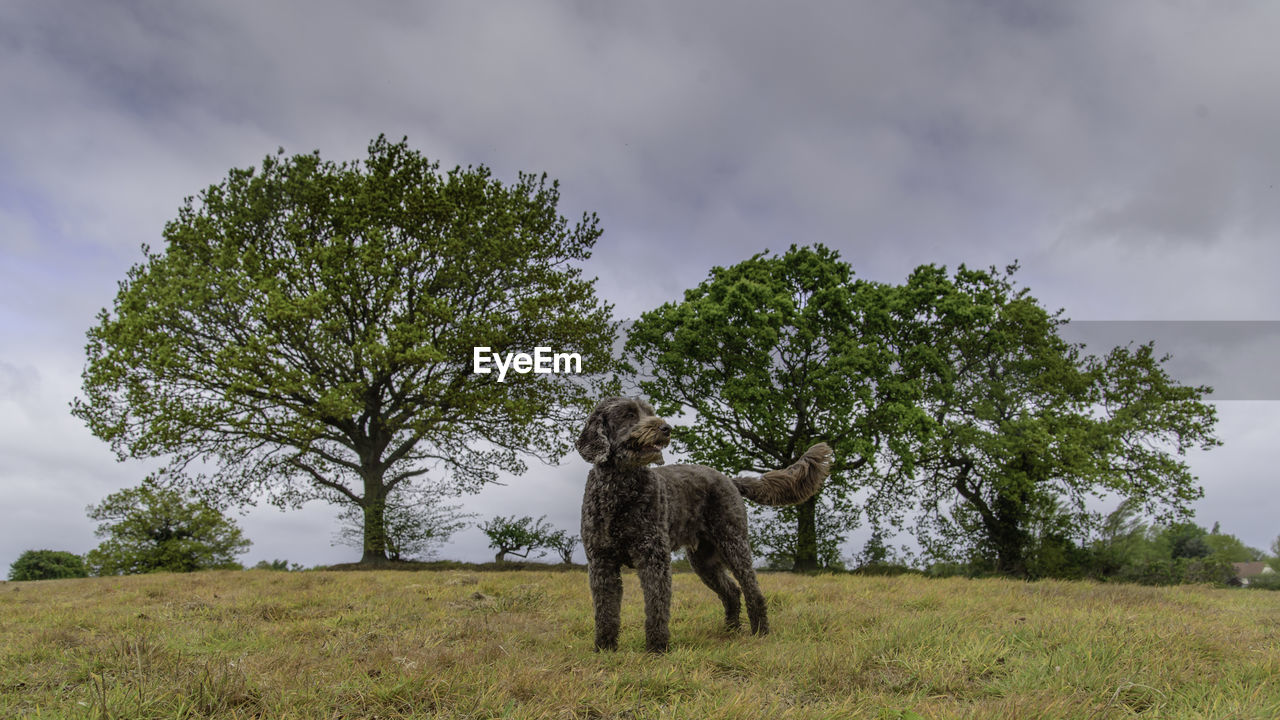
519	645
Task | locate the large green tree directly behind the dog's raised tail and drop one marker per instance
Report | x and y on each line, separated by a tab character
767	358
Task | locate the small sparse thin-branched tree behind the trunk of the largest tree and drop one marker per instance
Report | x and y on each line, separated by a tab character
415	521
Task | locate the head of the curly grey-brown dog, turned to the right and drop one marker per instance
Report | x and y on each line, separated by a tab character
624	431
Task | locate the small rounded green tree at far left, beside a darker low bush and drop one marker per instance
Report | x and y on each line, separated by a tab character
150	530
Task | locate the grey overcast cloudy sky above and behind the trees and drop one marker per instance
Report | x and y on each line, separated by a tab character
1127	154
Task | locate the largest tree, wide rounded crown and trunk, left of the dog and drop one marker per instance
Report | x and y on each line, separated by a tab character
309	332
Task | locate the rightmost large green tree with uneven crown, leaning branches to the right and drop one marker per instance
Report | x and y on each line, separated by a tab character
1023	429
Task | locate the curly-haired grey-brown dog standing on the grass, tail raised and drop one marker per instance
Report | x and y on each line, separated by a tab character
637	516
